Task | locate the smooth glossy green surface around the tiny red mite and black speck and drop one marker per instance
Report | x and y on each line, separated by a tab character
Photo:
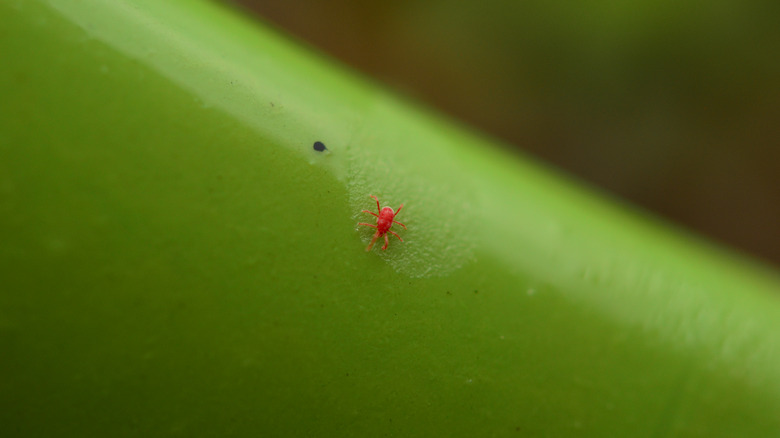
176	259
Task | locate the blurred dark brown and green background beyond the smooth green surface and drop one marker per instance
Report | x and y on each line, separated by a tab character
673	105
